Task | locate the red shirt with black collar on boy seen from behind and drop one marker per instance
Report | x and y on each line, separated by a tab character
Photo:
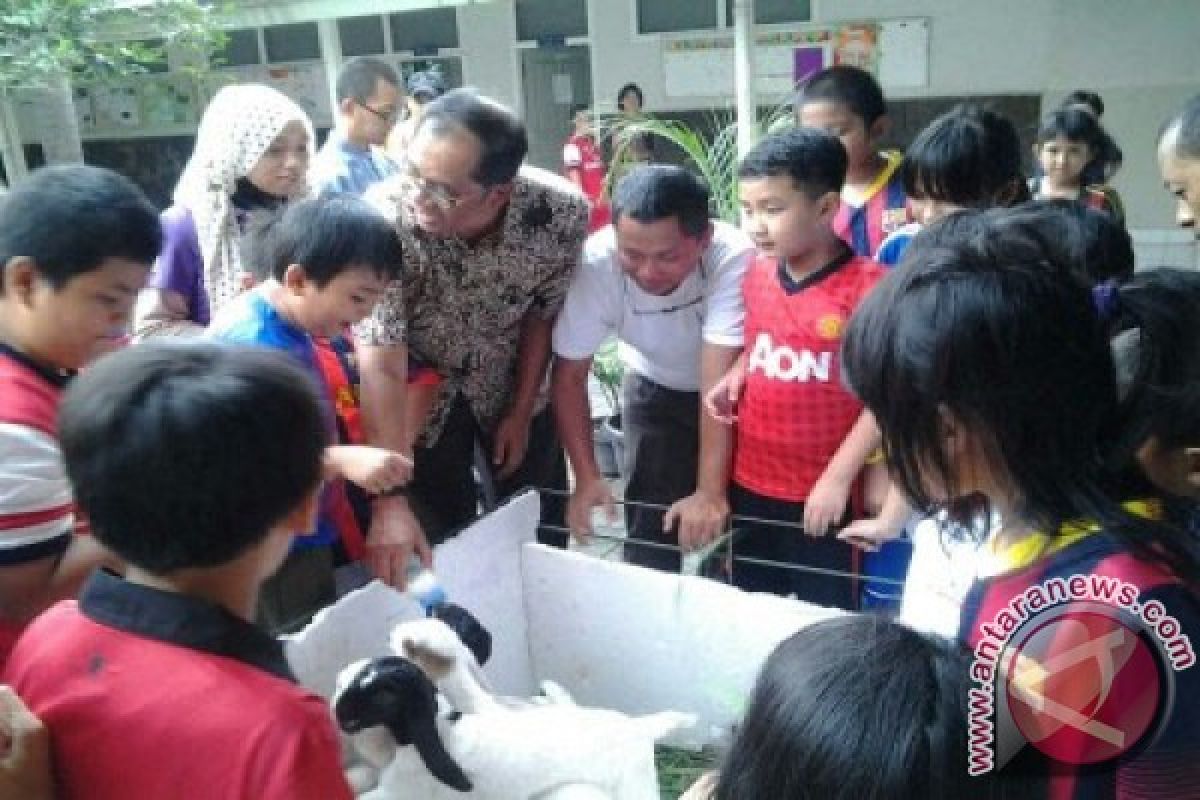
136	717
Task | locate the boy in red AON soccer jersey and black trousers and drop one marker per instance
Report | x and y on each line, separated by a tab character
802	438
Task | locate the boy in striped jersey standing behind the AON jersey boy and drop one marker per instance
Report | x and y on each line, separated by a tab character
849	104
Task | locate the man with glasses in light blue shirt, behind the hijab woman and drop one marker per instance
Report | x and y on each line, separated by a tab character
369	103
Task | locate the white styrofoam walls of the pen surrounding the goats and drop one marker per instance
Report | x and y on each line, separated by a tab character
615	636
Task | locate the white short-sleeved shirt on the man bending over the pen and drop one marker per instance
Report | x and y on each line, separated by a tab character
661	336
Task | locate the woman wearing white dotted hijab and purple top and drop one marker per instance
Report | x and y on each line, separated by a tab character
251	155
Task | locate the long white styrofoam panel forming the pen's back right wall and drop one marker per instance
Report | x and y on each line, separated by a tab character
638	641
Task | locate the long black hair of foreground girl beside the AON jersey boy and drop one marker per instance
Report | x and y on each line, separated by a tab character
992	328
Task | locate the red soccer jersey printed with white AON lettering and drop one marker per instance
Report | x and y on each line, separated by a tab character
795	413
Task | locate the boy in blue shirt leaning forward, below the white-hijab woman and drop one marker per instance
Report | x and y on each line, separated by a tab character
329	261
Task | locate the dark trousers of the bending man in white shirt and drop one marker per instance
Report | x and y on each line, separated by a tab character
662	454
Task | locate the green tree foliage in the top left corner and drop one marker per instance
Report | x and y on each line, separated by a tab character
94	40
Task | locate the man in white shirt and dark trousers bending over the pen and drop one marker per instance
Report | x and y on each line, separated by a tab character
667	281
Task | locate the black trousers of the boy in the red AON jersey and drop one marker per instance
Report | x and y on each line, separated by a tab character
789	546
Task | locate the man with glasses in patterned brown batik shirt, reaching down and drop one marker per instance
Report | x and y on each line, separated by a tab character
490	249
